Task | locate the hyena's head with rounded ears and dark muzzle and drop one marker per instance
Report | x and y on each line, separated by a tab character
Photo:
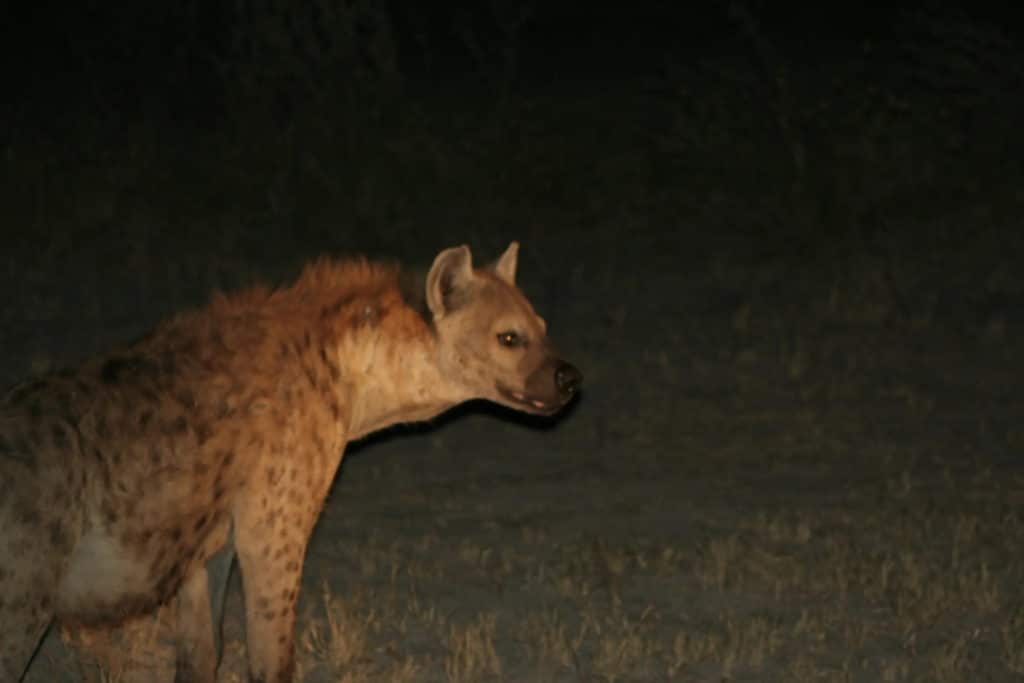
491	341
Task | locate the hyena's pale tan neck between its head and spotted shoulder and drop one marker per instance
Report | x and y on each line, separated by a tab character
393	367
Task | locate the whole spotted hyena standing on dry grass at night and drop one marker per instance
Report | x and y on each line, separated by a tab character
225	428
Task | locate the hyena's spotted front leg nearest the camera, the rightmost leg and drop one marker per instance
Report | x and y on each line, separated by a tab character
271	541
